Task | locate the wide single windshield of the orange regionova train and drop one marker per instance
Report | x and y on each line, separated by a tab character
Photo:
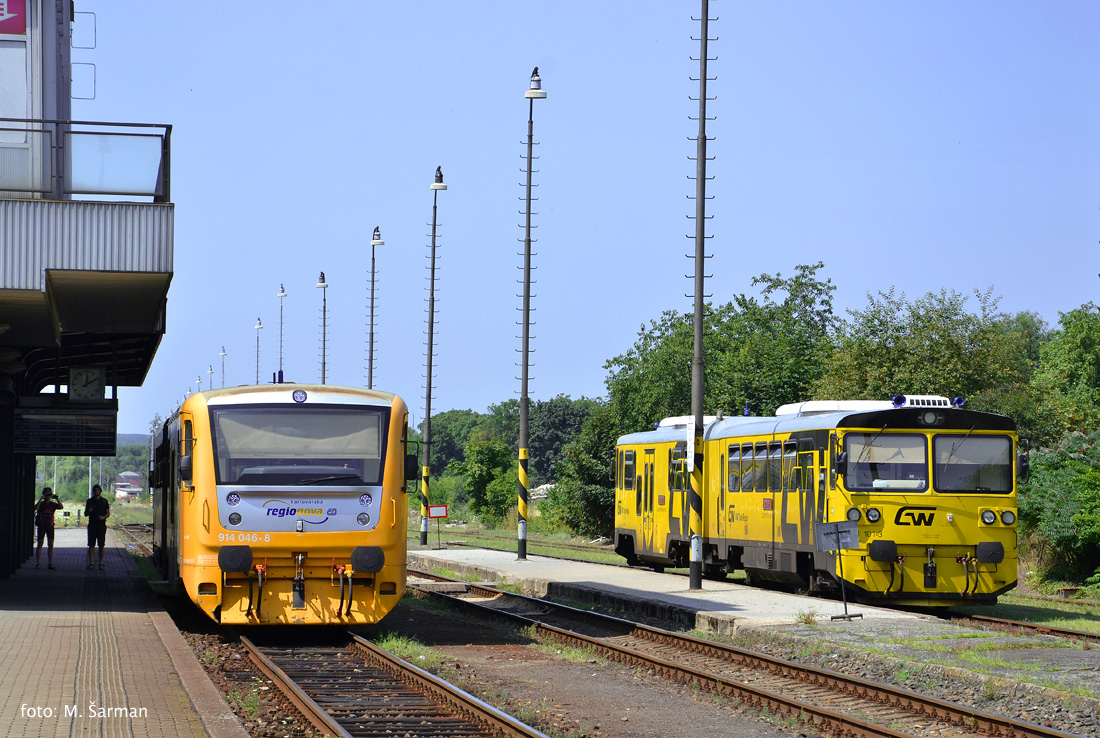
315	445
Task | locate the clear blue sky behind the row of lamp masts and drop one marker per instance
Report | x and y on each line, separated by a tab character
921	147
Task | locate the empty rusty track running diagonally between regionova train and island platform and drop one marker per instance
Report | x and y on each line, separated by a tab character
832	703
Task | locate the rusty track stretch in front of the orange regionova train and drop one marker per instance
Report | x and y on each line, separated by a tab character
361	690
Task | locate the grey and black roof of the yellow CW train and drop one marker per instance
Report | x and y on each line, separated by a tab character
865	415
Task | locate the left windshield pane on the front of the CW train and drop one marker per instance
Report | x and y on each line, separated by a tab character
886	461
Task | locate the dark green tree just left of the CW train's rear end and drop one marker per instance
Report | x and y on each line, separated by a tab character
584	500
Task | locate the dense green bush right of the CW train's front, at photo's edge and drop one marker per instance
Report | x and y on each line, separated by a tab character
1061	503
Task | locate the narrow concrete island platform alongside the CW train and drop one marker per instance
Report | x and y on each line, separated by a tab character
720	607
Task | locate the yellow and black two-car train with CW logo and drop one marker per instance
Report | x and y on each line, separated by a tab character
925	490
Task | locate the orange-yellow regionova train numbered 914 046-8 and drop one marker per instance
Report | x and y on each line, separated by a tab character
285	503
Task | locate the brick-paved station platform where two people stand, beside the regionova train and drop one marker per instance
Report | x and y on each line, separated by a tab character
93	653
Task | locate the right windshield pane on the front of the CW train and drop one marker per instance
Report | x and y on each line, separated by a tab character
973	464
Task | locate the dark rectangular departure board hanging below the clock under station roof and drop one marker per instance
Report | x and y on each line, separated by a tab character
65	433
